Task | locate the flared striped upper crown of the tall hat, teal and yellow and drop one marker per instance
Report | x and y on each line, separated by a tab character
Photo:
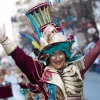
40	17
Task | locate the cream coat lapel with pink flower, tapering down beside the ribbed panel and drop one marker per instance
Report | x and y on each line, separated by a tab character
51	75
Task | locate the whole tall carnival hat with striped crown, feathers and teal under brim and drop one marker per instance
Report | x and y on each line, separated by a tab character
48	34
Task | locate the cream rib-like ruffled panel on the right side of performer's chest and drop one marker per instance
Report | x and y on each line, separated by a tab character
72	80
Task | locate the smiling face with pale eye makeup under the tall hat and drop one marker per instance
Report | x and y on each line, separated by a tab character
57	60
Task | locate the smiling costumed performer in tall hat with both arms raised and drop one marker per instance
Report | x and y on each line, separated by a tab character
57	73
